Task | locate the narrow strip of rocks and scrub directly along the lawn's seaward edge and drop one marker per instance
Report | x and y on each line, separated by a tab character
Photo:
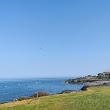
43	94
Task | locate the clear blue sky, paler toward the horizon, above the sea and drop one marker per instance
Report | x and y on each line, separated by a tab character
54	38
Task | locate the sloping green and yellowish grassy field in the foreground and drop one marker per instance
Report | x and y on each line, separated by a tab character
95	98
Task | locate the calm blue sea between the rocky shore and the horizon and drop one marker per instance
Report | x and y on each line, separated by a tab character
14	88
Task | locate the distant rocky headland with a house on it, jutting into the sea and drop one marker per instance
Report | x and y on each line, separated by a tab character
99	79
